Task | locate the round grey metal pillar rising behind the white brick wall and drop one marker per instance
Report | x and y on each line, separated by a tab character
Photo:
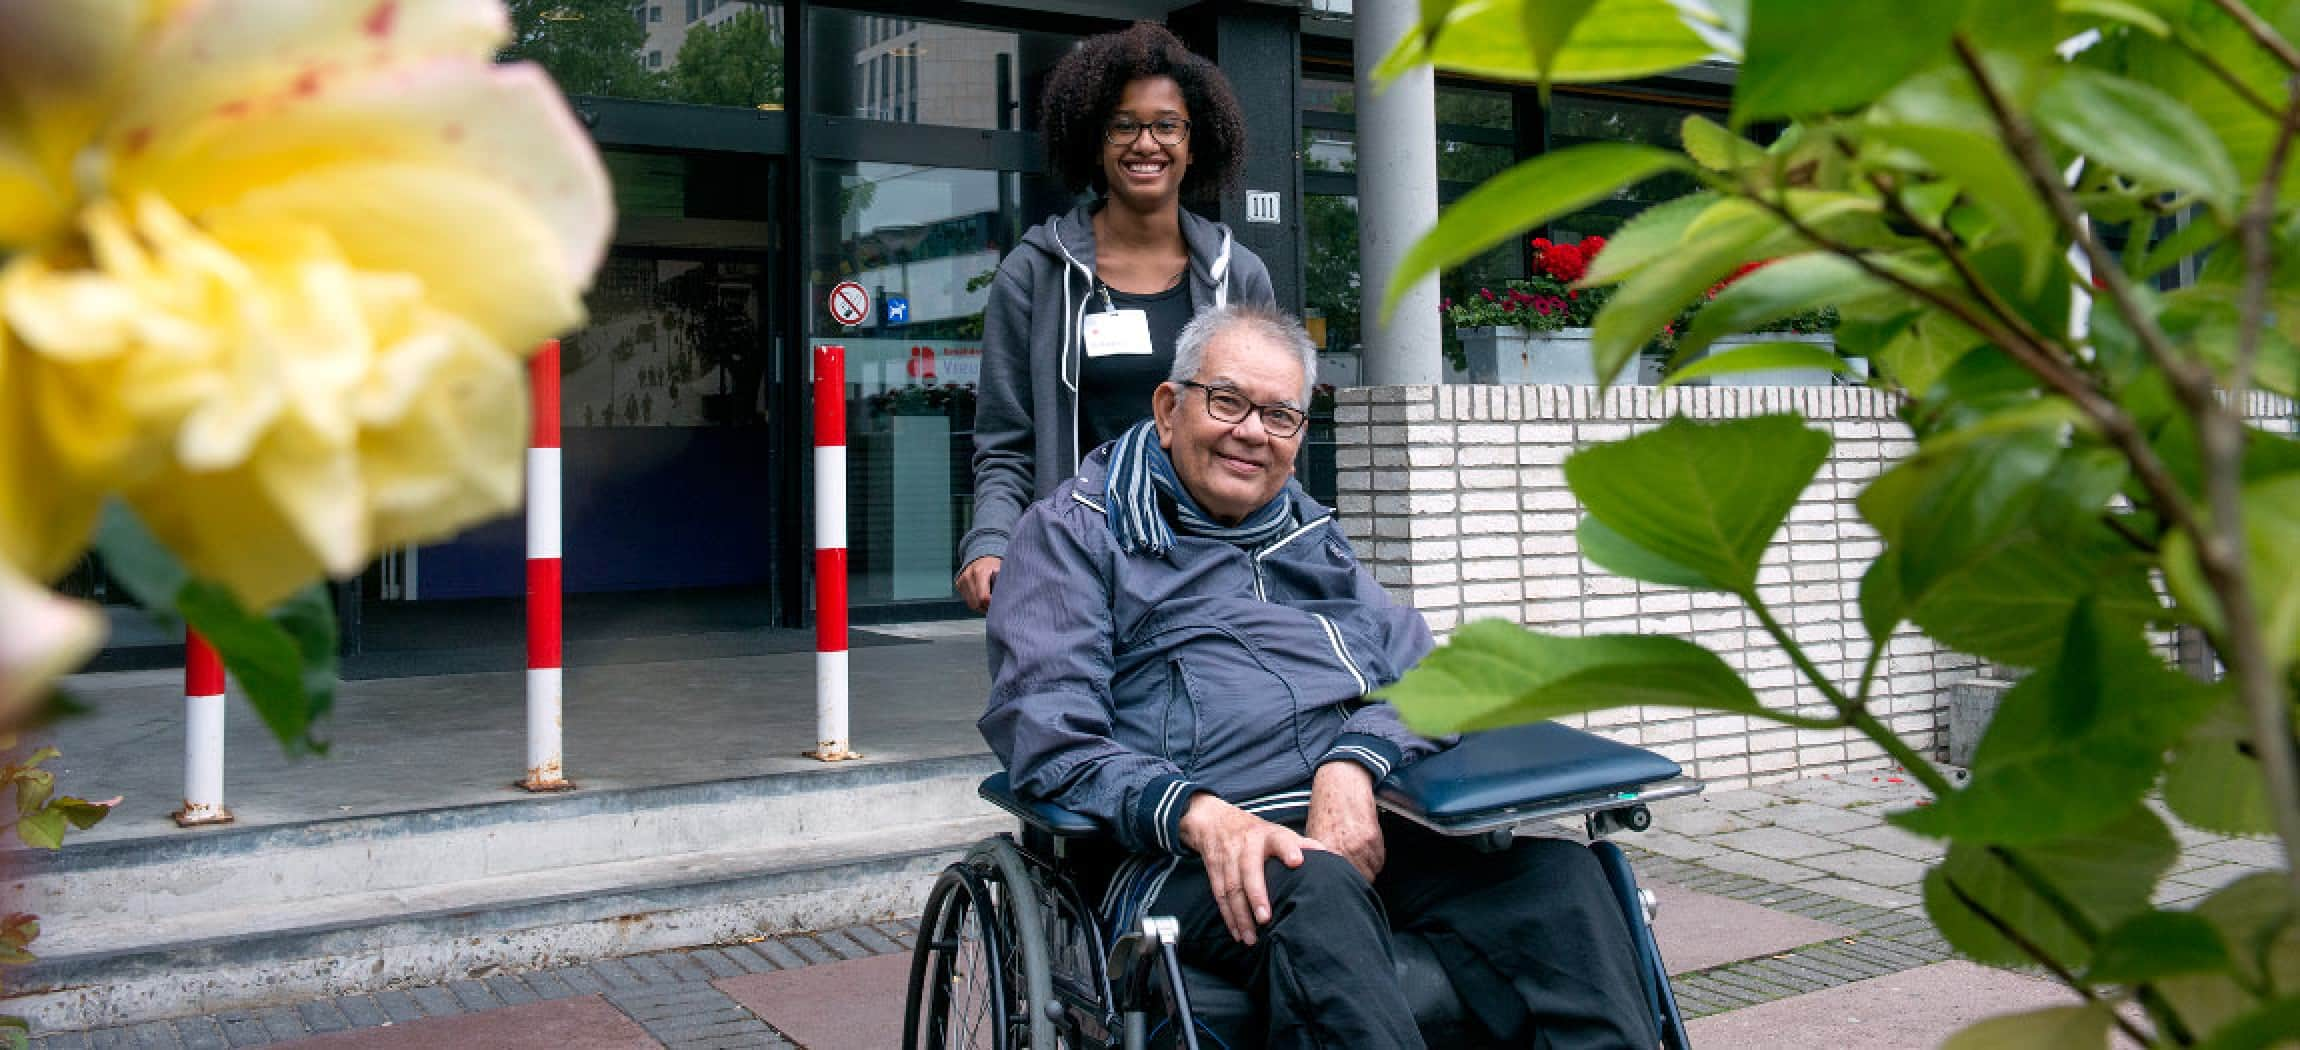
1397	199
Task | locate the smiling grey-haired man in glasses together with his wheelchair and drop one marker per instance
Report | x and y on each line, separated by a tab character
1222	837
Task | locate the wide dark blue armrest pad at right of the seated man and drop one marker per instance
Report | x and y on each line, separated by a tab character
1519	766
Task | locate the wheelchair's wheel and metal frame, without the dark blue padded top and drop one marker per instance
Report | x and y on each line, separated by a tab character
1013	957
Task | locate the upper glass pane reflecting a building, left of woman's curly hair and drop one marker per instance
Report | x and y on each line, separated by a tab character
926	72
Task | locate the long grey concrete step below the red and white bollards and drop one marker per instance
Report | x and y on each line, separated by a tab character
296	913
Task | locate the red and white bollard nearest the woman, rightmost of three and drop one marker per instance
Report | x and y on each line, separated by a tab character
831	555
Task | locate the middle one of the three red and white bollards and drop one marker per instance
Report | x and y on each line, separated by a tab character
546	757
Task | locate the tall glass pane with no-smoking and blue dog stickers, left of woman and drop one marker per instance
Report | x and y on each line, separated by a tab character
923	242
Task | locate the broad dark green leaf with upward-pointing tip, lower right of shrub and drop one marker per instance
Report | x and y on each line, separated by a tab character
2073	746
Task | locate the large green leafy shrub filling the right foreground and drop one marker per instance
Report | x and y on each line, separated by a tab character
1993	194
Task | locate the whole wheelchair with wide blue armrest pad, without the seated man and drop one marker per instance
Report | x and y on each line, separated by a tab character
1011	955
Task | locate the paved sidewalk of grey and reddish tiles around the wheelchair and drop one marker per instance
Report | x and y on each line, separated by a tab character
1788	913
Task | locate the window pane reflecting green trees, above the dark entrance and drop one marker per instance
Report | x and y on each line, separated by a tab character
719	56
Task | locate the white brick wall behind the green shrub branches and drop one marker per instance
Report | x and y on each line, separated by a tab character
1457	502
